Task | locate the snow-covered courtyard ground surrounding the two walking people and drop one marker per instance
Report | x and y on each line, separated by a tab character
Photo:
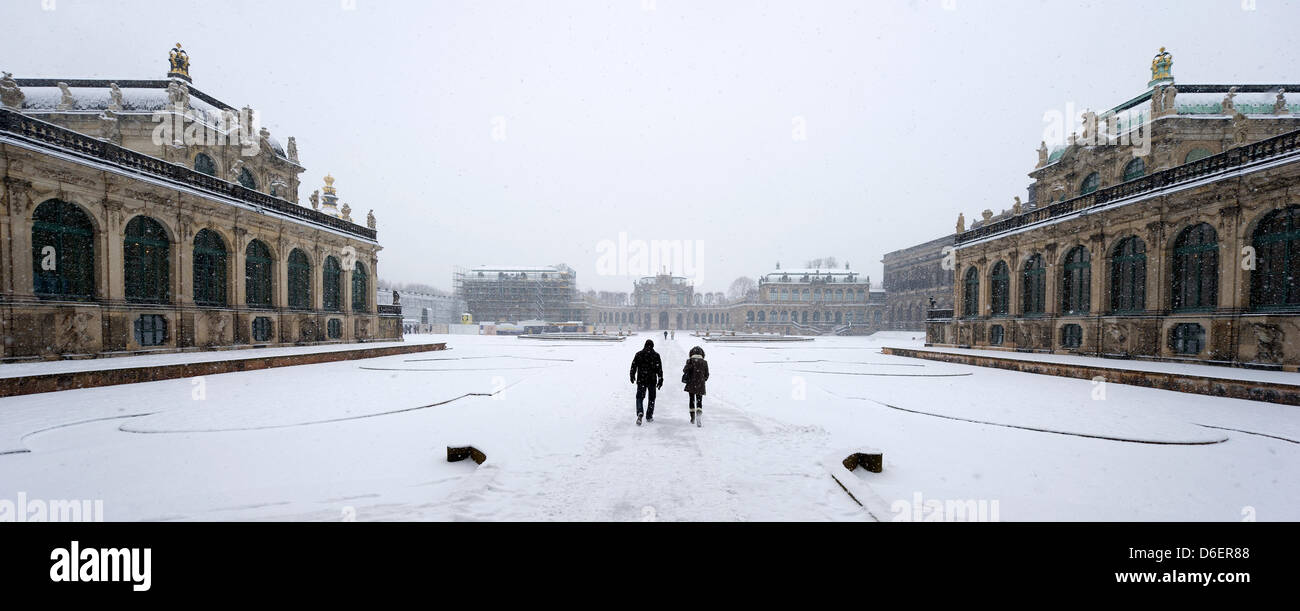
367	440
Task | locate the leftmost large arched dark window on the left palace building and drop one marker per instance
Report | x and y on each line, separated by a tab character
63	253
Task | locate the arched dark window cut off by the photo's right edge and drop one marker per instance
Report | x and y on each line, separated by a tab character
1276	281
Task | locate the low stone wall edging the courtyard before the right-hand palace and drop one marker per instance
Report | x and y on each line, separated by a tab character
1204	385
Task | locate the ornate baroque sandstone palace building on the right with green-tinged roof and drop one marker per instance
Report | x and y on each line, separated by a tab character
1168	229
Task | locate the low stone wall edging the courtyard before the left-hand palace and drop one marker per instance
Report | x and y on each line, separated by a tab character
27	385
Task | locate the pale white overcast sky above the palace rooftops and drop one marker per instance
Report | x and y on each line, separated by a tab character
660	119
